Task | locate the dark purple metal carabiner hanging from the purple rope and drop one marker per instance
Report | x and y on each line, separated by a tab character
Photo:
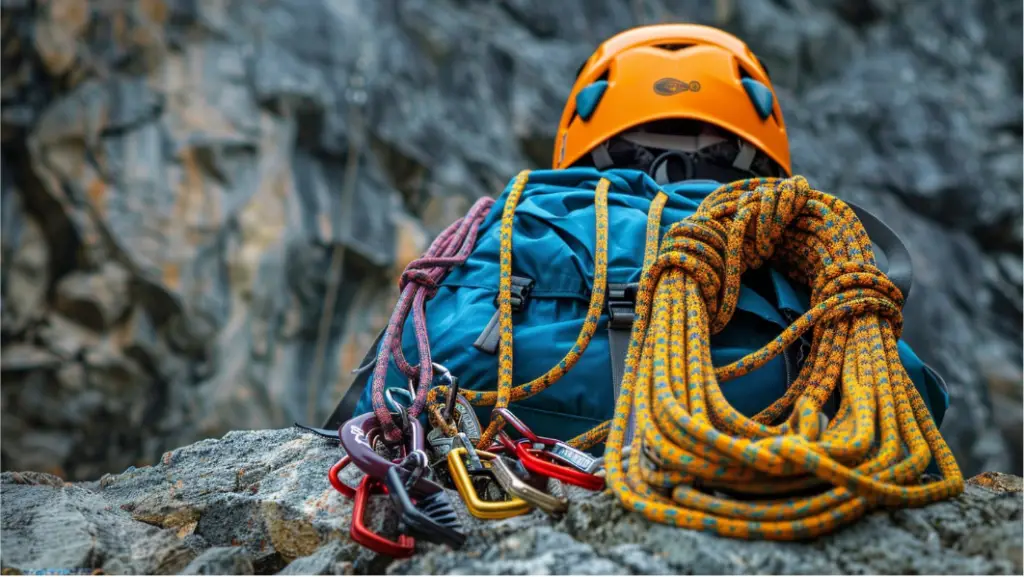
355	437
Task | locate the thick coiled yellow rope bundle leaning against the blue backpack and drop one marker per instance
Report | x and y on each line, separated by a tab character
872	455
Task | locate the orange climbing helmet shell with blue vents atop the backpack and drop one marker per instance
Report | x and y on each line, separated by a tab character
671	72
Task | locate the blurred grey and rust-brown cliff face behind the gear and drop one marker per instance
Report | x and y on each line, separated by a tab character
206	204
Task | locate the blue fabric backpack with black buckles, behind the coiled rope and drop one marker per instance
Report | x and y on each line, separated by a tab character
553	264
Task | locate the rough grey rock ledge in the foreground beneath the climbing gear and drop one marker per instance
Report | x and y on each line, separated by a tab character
260	502
